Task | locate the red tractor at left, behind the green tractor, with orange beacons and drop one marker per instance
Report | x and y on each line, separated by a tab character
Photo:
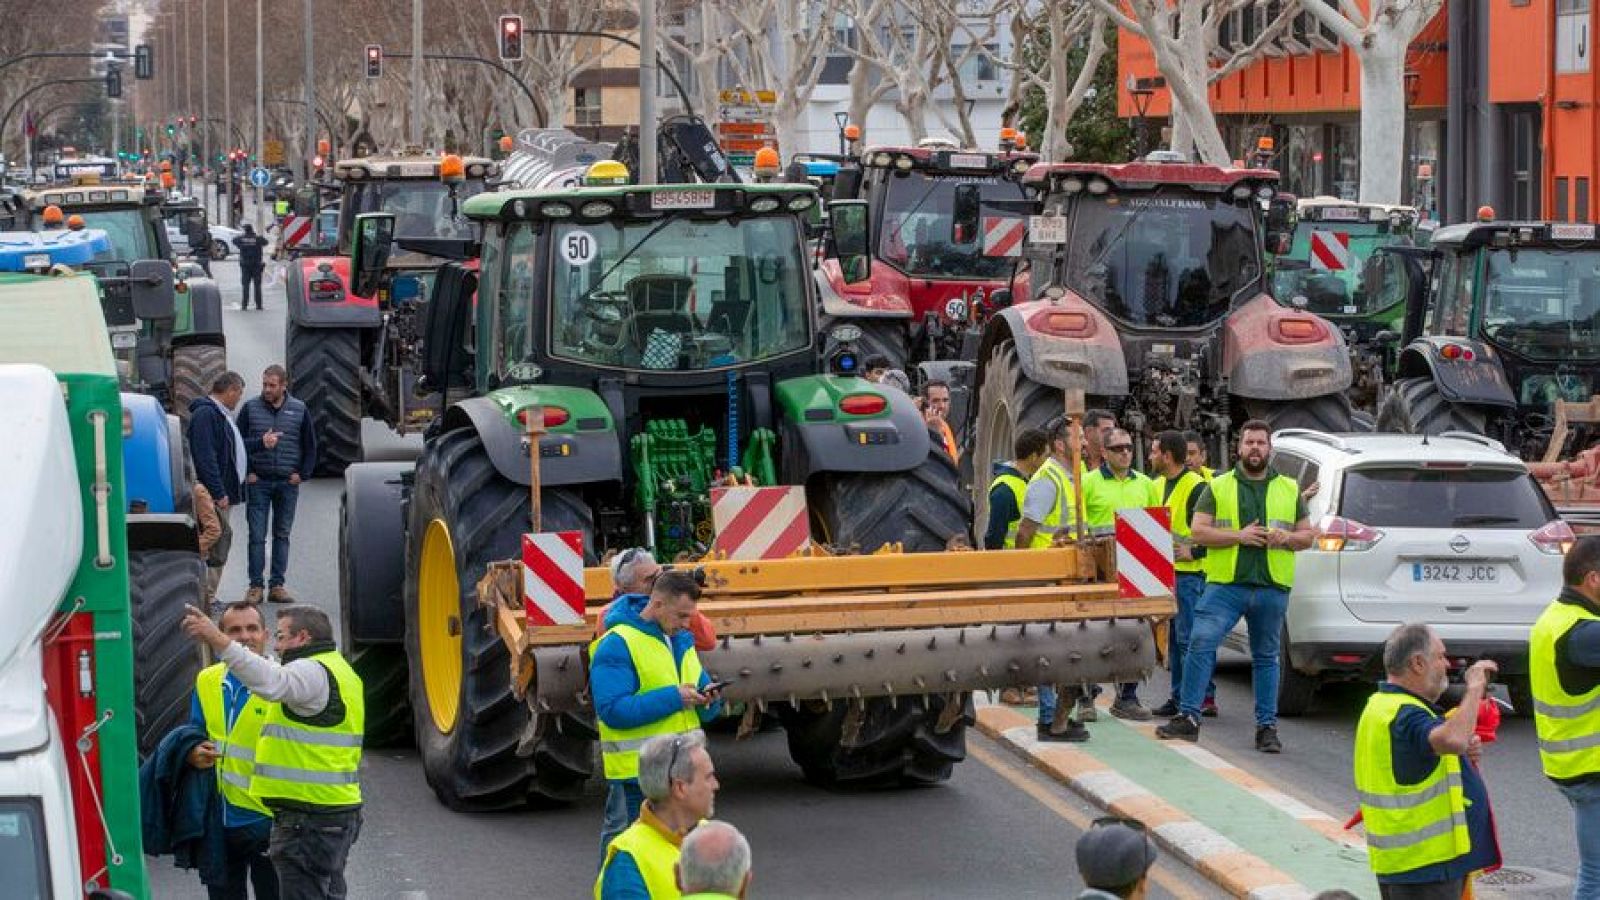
353	353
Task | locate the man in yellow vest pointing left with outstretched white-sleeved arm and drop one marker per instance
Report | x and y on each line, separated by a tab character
310	752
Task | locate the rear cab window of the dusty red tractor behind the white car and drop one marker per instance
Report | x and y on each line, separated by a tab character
1164	259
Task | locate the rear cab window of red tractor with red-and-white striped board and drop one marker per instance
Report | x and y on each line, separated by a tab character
918	233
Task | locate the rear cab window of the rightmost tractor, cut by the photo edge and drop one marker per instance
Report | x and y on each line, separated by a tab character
1543	303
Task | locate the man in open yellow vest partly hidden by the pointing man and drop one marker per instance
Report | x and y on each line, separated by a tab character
231	718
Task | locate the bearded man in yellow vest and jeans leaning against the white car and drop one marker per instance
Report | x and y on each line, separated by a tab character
1252	523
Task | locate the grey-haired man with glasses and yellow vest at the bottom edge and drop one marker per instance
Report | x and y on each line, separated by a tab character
681	789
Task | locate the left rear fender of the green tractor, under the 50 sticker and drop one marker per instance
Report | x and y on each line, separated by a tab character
582	451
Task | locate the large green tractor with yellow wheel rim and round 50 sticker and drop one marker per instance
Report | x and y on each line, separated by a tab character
658	340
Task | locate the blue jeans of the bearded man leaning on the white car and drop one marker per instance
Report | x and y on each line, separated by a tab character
1220	609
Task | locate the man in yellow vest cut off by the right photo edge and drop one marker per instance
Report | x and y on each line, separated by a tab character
1564	673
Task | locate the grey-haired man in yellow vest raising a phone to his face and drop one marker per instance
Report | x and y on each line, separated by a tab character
1426	810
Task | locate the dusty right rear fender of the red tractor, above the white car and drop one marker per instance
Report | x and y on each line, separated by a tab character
1271	353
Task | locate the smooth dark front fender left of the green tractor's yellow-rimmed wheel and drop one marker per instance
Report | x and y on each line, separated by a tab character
372	553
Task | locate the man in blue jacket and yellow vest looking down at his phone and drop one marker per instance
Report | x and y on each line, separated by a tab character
647	681
